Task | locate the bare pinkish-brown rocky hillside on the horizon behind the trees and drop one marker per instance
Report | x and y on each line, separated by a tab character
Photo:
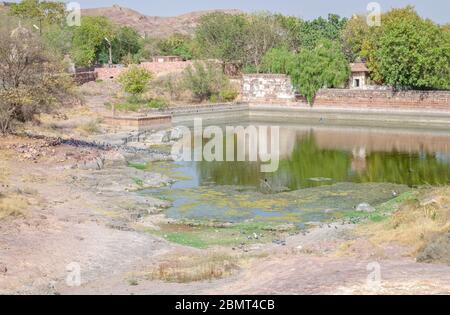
152	26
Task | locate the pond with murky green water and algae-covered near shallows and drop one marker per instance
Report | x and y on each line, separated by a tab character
323	172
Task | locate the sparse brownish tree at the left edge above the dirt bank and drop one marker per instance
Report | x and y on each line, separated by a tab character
31	81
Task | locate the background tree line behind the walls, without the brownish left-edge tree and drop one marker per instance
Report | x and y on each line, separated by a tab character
406	51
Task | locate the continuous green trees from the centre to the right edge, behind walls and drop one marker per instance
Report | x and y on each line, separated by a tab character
405	52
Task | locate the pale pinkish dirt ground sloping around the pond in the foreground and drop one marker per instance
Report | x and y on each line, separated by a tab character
71	218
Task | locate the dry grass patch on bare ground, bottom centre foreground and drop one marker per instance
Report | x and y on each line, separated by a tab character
196	267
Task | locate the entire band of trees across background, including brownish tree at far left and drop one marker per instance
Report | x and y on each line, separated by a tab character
405	52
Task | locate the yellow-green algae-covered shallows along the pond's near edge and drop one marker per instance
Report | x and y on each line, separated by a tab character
317	204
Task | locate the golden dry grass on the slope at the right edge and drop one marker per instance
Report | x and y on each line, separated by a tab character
416	223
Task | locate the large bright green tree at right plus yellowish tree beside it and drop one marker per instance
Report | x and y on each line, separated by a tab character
406	51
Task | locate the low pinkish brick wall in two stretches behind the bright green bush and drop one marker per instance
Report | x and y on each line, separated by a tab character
157	68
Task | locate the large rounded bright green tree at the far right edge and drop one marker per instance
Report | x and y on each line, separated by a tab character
412	52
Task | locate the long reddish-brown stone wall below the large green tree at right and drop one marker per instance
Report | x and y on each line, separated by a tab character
368	99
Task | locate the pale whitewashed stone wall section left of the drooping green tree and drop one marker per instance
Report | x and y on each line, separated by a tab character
267	88
